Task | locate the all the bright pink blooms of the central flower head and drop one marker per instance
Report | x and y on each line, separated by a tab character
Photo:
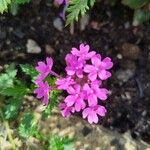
85	72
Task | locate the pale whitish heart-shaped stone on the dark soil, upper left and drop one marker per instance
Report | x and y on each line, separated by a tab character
32	47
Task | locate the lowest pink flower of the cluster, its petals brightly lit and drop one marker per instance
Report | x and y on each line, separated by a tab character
91	113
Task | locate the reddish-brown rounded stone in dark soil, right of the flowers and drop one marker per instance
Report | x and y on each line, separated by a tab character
130	51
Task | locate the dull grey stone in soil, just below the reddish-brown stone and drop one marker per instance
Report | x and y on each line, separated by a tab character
124	75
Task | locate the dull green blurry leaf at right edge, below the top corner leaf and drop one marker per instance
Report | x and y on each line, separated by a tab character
141	16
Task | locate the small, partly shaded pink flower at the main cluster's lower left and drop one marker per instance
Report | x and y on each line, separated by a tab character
65	110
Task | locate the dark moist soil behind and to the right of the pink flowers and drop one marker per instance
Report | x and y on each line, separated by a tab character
129	103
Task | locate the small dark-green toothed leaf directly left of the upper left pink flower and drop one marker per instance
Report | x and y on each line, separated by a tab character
29	70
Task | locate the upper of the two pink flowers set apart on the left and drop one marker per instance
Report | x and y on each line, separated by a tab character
45	68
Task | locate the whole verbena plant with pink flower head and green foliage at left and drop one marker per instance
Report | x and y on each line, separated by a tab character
82	84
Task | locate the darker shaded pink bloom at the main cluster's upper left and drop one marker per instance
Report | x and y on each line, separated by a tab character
74	66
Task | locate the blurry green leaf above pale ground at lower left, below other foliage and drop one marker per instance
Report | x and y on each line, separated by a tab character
28	126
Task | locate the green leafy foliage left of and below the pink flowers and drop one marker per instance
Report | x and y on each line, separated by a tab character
12	92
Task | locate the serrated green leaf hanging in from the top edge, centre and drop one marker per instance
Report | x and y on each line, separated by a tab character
76	8
